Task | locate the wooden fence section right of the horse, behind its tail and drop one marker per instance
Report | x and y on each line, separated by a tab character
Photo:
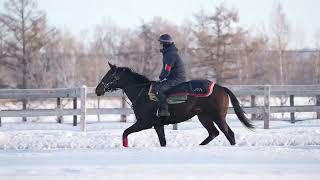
270	91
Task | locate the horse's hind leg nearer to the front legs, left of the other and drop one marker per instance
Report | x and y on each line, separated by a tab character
207	122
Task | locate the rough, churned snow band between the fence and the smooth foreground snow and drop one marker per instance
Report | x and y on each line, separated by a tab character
49	136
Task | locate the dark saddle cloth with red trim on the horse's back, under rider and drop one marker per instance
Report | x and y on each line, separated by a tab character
180	93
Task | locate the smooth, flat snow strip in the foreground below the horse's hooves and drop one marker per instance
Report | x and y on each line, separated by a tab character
164	163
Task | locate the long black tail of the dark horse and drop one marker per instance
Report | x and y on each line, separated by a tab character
238	110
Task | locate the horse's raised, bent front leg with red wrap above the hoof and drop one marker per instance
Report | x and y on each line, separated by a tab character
136	127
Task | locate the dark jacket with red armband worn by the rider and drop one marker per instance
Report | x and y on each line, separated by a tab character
173	67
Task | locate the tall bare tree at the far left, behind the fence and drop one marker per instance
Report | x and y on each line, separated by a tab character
26	33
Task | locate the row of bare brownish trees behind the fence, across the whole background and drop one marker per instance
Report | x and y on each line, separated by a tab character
34	54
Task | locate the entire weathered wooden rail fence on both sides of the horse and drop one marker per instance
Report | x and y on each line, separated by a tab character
83	93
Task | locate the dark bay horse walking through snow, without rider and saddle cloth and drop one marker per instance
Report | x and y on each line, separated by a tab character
210	110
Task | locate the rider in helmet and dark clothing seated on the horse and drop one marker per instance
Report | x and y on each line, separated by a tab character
173	72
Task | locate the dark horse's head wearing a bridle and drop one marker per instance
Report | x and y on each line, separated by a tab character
113	80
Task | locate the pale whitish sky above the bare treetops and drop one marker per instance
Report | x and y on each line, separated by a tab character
78	15
